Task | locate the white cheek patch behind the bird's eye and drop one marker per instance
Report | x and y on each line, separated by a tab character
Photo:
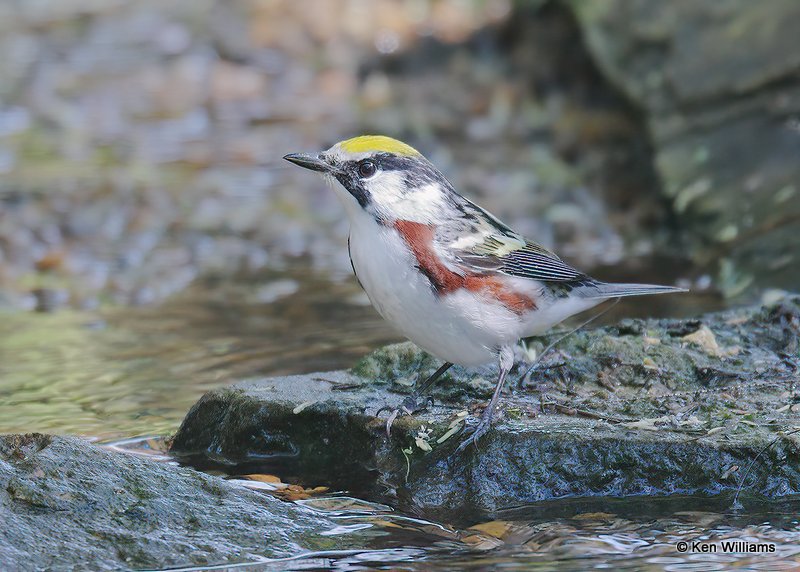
391	198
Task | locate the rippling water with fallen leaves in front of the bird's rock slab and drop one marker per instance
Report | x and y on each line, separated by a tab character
638	533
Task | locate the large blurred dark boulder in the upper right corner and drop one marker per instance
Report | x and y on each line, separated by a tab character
717	85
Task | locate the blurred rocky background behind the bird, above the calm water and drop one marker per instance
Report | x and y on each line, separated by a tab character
140	142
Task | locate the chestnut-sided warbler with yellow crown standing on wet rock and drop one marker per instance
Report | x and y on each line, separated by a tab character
448	275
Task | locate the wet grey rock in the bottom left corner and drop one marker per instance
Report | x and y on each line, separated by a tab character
108	511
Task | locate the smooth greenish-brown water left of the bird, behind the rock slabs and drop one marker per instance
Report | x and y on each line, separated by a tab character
138	371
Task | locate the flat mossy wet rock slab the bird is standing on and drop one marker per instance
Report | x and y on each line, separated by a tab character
641	407
